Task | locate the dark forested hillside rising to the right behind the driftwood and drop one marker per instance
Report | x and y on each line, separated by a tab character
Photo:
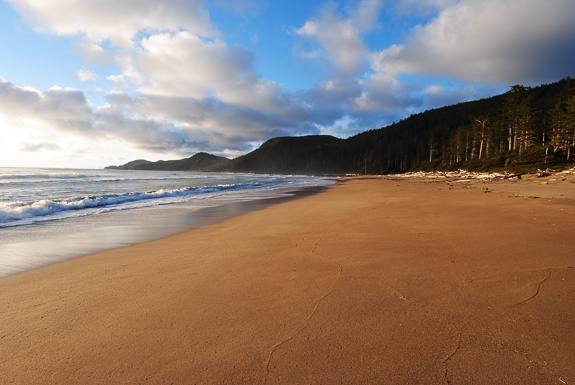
525	127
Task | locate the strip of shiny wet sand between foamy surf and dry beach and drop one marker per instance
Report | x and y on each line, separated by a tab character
33	246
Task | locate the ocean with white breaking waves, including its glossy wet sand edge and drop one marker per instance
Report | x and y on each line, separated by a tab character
50	215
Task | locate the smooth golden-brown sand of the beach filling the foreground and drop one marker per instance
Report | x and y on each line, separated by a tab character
375	281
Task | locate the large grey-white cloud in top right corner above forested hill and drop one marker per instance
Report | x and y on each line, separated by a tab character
490	41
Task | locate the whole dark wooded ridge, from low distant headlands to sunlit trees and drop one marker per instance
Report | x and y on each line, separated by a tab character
523	129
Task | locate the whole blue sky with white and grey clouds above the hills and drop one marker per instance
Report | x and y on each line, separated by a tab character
92	83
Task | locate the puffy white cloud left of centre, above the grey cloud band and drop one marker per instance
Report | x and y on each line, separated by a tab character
185	65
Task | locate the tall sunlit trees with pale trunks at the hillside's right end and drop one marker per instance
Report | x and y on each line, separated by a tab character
524	128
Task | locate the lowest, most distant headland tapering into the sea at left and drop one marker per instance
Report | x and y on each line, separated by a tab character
199	162
